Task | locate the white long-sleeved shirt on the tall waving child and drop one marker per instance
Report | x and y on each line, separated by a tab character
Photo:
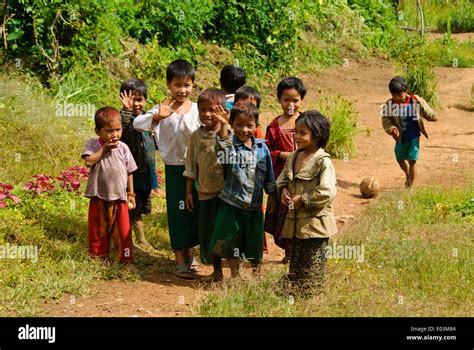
172	134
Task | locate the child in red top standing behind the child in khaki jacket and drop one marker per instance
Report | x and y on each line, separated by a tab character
280	138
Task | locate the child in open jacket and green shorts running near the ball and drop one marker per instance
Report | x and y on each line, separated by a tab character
402	118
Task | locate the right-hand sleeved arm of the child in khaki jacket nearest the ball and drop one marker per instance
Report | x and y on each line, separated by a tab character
325	193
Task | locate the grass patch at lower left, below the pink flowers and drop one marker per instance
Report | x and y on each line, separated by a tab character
57	224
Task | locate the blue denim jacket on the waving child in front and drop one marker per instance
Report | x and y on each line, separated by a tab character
247	171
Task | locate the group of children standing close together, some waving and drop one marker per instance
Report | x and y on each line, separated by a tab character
217	165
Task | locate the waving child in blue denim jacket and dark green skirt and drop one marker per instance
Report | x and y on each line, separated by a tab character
238	231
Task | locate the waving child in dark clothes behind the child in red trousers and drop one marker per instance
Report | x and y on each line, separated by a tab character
133	94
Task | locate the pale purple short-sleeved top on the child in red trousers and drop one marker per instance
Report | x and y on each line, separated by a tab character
108	177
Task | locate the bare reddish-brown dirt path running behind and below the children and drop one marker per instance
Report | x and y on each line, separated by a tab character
445	159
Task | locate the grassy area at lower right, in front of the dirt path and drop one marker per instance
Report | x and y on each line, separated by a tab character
418	262
